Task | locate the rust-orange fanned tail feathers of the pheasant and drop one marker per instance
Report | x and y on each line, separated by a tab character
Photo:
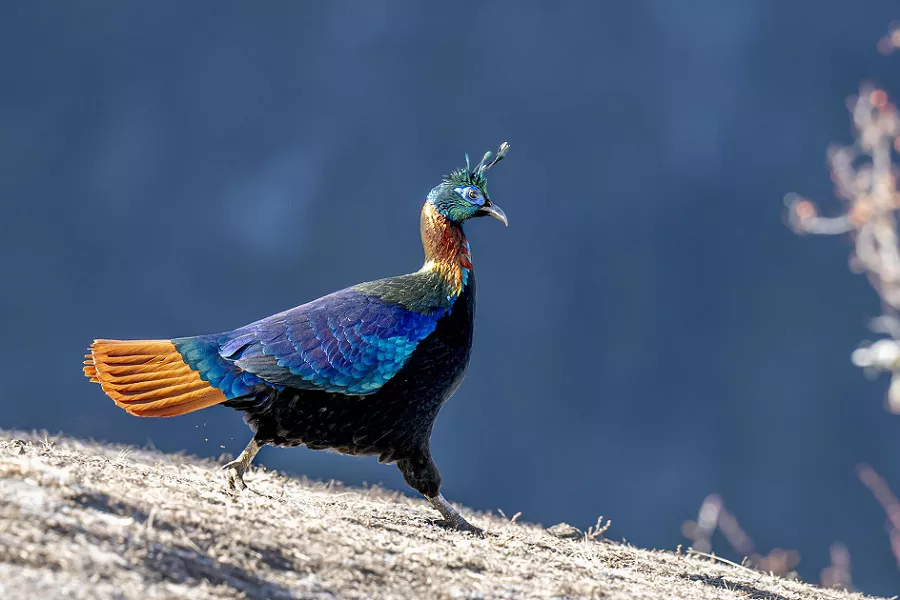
148	378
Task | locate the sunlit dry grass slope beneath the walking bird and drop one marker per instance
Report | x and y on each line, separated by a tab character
88	520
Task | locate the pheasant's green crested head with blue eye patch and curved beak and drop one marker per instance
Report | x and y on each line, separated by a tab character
462	194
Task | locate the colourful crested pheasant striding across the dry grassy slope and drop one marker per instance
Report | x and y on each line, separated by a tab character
361	371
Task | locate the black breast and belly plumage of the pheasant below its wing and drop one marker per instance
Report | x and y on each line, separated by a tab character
395	421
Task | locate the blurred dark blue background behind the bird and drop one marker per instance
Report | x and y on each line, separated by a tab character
649	329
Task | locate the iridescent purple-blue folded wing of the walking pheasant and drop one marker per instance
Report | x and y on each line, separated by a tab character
348	342
